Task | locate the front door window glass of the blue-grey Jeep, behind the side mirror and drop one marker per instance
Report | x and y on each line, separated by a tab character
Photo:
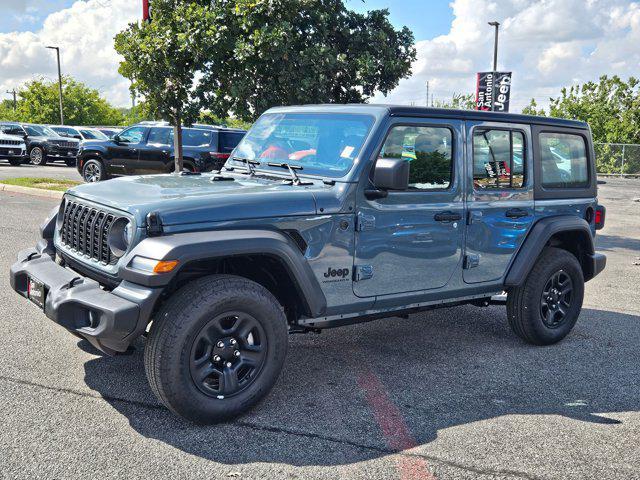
429	151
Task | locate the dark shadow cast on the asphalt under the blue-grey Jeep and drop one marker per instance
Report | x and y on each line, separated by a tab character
375	389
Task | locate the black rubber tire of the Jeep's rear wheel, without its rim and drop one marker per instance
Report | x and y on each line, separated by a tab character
524	309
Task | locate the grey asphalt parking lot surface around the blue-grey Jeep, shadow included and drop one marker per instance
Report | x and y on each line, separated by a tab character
444	394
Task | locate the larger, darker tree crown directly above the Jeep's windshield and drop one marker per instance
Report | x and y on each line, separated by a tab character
287	52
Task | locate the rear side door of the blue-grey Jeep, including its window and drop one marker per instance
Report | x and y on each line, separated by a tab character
499	197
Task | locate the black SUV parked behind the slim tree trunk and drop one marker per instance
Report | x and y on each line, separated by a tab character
148	148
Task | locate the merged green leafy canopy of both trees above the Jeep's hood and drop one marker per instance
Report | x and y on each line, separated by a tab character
250	55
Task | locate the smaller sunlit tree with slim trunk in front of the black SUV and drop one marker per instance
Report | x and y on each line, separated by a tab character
163	56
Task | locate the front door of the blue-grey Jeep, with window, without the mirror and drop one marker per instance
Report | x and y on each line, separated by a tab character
411	240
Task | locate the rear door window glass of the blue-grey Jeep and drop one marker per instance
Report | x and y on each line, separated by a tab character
498	159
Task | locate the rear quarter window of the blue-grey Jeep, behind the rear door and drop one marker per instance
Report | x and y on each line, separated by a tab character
563	158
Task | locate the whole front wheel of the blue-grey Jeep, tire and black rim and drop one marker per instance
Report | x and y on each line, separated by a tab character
216	348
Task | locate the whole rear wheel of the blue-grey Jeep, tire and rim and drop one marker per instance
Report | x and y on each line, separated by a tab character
544	309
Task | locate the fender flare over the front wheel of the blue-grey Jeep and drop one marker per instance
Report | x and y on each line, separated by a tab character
197	246
